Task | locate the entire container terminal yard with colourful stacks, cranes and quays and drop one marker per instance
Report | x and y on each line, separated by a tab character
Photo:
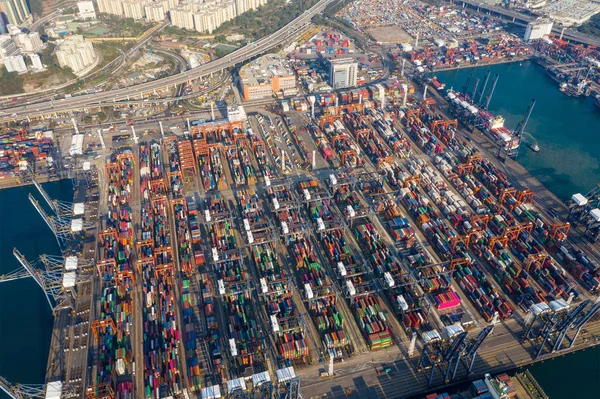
277	256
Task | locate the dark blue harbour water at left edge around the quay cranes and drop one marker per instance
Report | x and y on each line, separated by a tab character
25	317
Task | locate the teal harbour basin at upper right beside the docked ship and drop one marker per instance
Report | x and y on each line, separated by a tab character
567	129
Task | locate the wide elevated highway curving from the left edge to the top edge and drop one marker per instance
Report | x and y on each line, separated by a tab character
104	98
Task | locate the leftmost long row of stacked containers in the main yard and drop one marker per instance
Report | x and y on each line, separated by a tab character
113	326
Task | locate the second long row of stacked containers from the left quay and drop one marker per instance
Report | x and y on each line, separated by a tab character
161	333
